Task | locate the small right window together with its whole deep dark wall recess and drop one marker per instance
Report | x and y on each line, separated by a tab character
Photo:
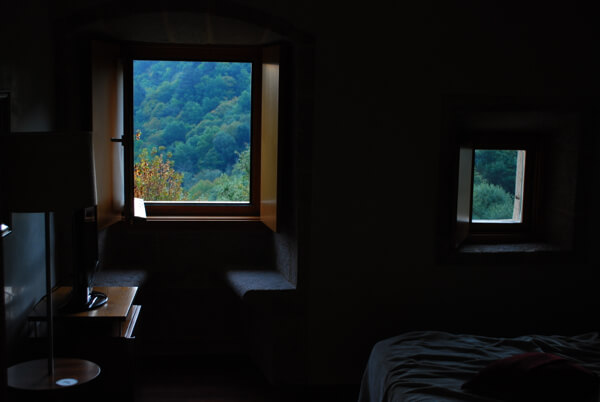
514	179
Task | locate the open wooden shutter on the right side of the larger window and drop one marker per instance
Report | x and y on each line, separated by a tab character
269	135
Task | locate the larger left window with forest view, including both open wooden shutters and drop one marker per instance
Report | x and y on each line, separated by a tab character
199	128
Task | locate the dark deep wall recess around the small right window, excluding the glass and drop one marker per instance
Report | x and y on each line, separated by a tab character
560	128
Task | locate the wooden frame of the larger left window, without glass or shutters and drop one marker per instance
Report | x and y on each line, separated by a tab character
209	53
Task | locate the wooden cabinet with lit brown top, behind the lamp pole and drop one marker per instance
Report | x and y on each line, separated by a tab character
104	336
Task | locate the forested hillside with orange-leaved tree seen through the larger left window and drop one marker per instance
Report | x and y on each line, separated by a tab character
192	124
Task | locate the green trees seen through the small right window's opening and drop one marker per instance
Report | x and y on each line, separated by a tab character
496	181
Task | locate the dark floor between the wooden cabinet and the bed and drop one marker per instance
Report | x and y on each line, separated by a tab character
222	379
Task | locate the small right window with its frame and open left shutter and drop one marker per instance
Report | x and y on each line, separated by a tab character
497	189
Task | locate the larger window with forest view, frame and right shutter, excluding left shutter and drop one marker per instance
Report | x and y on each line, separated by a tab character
201	129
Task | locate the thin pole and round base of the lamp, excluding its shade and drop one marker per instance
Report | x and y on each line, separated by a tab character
52	373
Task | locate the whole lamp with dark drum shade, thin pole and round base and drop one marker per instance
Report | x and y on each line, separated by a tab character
49	172
